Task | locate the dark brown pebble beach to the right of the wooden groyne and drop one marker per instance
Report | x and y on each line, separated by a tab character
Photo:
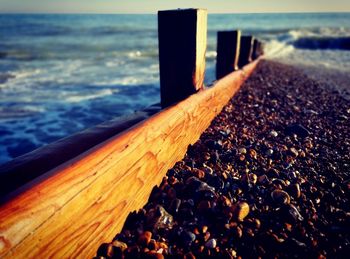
268	179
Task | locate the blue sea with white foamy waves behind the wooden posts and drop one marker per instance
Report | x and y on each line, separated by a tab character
60	74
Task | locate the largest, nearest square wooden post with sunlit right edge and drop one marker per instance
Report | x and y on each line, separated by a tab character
182	36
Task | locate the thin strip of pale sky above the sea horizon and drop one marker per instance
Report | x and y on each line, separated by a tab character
152	6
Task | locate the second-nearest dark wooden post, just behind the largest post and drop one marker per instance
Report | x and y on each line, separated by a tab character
228	48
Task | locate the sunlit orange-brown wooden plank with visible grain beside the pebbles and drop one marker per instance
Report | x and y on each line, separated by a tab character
85	201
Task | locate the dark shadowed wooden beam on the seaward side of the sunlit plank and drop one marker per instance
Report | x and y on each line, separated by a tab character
26	168
